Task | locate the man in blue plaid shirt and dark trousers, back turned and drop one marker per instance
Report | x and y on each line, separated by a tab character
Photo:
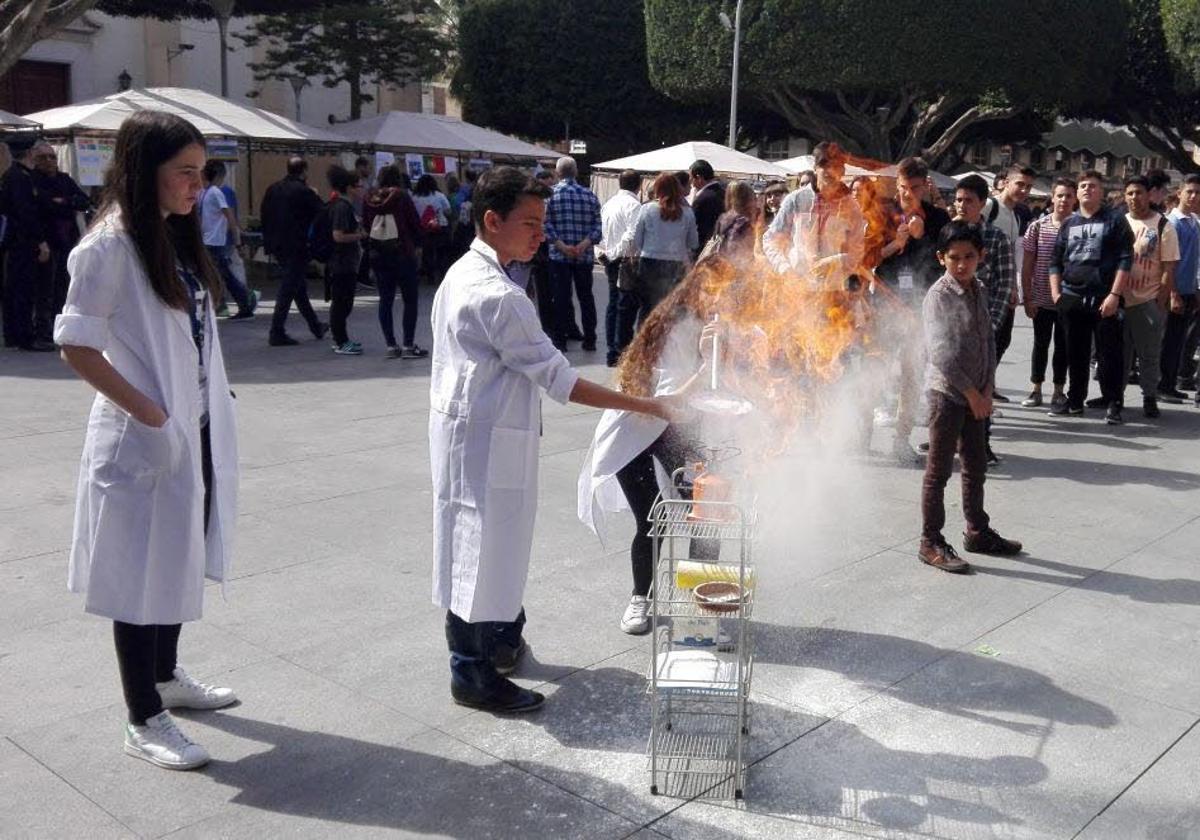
573	227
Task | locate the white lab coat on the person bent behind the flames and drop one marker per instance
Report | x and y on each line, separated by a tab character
623	436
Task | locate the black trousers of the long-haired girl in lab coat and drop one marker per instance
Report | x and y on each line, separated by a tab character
149	653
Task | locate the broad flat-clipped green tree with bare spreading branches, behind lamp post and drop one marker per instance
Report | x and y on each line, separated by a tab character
889	80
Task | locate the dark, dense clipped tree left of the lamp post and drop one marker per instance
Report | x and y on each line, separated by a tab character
550	68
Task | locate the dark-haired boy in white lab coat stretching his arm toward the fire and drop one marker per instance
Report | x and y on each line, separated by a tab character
490	359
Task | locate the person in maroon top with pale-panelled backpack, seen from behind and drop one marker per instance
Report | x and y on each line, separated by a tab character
391	218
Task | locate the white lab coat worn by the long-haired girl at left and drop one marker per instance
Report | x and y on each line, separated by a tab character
140	549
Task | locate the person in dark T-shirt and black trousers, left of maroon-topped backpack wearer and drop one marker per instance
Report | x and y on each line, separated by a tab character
345	255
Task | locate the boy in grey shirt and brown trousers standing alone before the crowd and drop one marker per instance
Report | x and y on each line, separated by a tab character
961	380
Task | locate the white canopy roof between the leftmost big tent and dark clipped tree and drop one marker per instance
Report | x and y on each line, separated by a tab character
439	133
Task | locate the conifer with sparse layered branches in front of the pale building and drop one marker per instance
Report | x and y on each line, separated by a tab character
362	45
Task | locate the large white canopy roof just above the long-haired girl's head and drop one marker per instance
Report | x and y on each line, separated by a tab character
213	116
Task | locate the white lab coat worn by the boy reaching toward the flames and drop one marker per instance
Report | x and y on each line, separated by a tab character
490	358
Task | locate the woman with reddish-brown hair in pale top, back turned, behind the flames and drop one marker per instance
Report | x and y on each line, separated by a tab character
667	242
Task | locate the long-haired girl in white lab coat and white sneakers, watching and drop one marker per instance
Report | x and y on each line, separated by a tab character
158	482
